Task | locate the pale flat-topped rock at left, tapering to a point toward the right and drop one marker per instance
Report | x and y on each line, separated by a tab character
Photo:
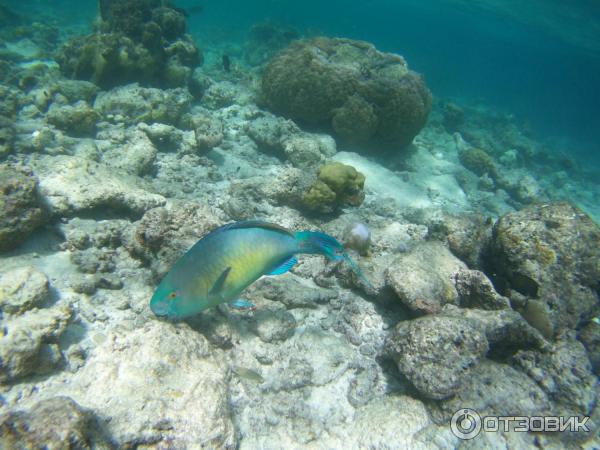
66	183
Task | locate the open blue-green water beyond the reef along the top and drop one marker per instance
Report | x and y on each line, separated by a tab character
539	60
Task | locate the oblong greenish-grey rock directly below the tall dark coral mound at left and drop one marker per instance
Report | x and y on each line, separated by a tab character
133	104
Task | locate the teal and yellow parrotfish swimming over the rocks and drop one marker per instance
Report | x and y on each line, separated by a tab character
226	261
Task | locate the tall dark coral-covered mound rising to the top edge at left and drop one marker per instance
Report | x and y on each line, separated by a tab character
140	41
